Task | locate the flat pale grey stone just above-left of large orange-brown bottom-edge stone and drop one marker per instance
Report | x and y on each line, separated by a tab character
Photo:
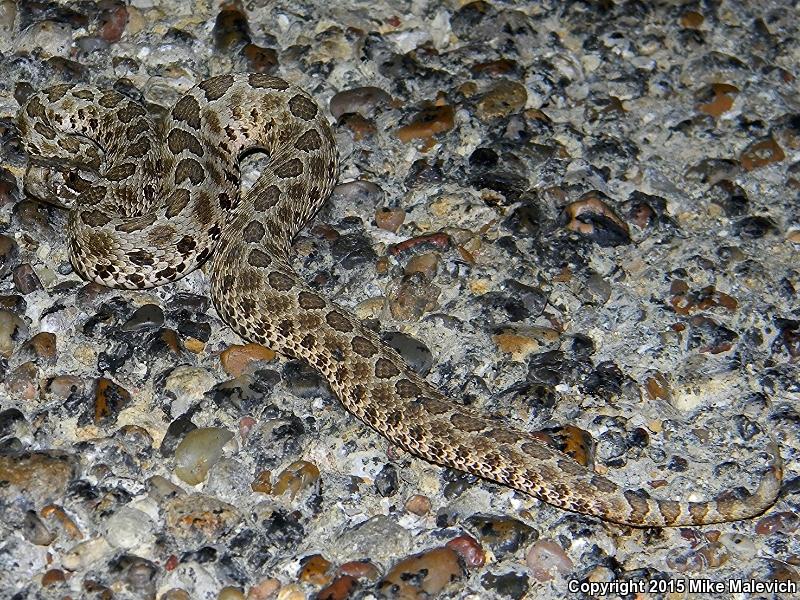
380	538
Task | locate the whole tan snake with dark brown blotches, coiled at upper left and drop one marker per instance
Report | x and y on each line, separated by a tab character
148	205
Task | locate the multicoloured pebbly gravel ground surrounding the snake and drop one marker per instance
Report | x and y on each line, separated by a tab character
581	218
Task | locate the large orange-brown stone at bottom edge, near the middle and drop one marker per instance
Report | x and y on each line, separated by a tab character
425	573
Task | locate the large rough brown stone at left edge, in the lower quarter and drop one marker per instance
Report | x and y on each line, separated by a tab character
39	477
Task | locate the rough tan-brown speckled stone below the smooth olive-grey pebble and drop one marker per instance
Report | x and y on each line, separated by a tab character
199	519
